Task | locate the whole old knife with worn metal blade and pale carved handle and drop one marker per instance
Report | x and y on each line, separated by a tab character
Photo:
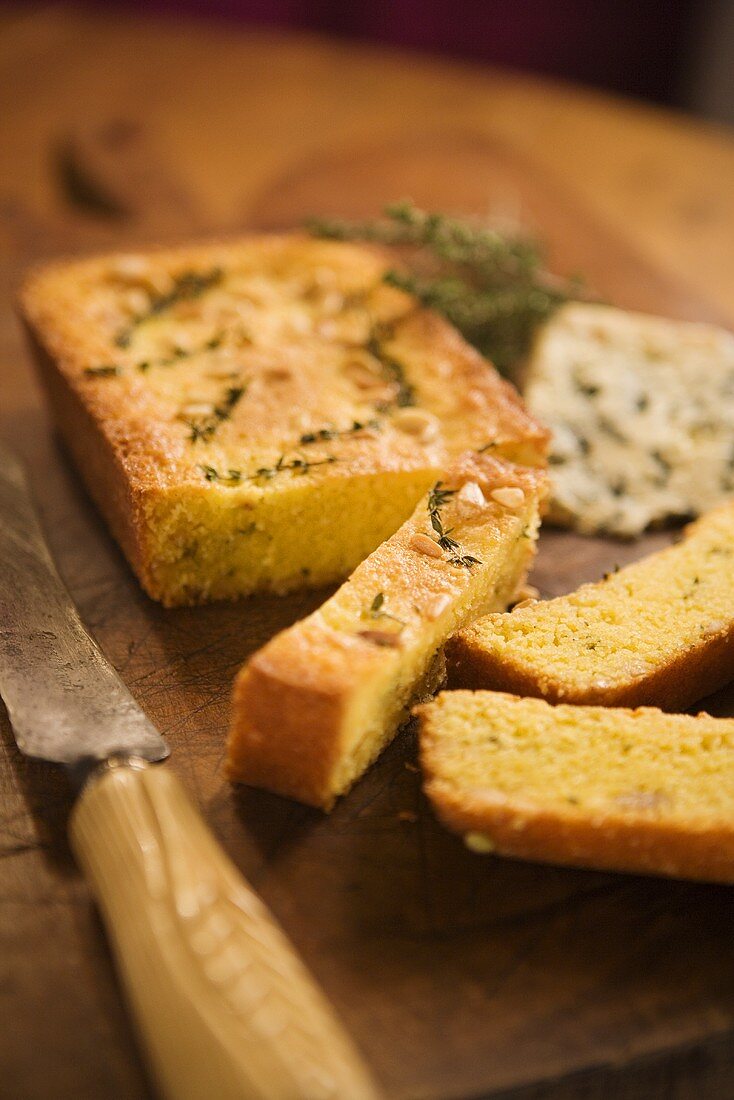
223	1005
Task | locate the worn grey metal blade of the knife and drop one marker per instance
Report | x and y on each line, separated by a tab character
67	703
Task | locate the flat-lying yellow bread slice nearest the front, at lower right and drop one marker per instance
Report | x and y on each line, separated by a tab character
587	787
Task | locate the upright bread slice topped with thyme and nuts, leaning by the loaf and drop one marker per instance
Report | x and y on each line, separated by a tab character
316	706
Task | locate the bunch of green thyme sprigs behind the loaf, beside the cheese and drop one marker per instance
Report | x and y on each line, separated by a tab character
492	287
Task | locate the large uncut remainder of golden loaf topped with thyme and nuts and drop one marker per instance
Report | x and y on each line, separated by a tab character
221	399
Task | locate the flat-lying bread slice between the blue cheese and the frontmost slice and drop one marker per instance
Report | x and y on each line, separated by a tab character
660	632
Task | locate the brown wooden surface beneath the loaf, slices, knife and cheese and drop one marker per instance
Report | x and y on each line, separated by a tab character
459	976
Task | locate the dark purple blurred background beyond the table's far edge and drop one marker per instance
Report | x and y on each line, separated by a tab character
677	53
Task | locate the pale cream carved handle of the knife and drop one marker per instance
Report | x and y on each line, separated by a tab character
223	1005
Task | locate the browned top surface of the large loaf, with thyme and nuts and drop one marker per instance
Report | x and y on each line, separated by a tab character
287	338
